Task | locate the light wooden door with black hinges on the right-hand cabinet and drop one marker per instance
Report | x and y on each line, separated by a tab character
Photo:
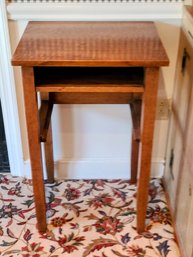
179	117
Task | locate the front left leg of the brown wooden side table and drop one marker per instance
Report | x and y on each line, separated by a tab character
34	146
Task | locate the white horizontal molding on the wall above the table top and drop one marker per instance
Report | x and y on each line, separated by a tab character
99	11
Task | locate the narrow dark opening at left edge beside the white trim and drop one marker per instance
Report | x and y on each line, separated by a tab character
4	160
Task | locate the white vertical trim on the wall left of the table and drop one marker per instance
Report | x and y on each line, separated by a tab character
8	98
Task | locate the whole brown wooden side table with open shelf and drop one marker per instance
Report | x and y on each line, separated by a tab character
90	62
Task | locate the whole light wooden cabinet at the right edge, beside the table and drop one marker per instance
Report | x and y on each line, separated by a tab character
179	169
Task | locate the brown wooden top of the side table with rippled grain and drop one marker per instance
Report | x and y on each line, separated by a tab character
90	44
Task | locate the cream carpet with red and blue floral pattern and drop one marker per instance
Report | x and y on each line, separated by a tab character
94	218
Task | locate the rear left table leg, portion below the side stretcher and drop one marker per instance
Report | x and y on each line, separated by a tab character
49	156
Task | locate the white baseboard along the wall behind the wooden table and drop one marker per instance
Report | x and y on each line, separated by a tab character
95	168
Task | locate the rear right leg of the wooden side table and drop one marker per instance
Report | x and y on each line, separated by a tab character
136	116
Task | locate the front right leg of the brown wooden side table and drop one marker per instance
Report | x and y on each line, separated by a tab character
147	129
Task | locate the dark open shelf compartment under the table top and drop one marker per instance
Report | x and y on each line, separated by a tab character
89	79
